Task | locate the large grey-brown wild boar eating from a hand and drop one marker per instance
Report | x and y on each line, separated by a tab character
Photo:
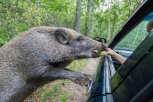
40	55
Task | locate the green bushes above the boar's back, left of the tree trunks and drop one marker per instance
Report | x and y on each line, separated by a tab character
18	16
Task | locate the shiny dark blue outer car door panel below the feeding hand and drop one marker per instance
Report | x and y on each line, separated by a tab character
102	88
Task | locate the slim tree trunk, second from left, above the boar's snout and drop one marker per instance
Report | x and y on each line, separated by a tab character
87	23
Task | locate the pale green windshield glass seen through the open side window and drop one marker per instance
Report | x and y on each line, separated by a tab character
134	38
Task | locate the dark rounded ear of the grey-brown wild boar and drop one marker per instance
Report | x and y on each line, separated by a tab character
62	36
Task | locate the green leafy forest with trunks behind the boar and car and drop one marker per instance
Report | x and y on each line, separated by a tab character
93	18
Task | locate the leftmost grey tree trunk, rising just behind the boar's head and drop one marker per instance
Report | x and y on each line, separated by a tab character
78	15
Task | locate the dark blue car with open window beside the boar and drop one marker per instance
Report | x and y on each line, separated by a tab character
133	80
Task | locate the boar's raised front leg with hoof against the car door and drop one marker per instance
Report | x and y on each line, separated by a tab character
60	73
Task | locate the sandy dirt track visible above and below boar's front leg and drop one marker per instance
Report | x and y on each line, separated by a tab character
78	93
